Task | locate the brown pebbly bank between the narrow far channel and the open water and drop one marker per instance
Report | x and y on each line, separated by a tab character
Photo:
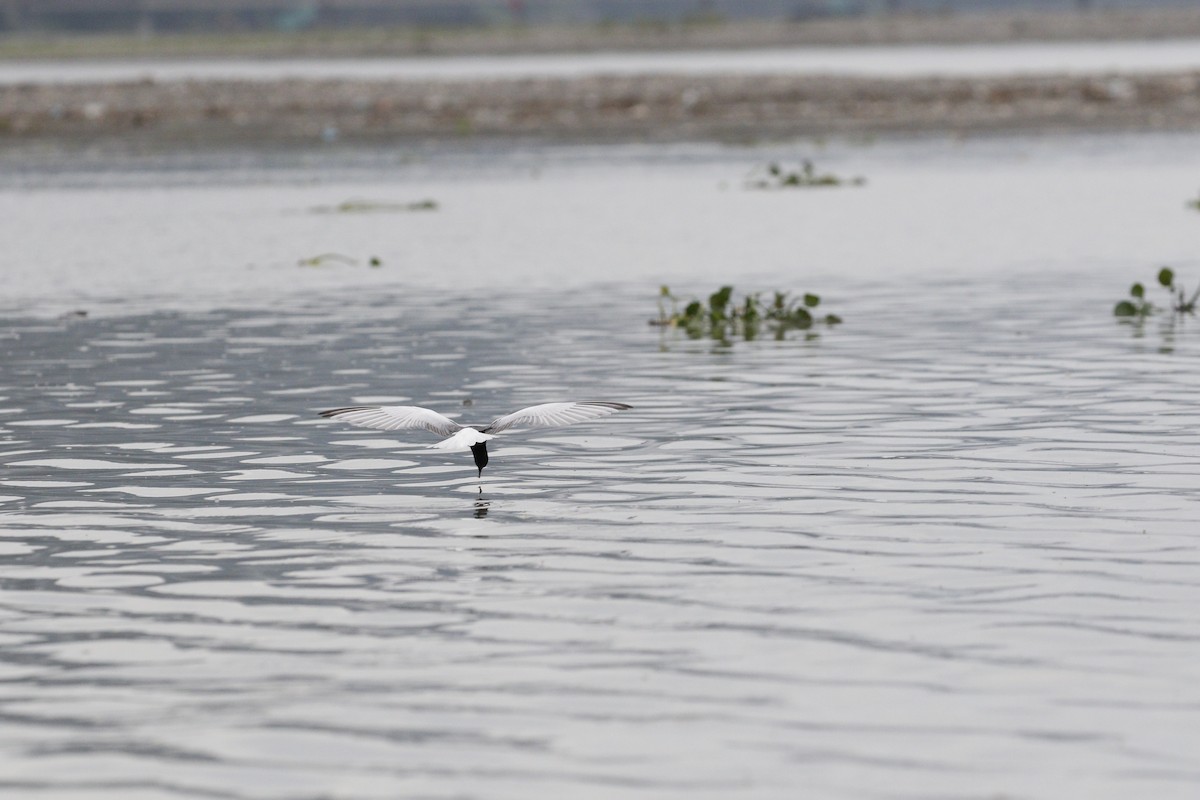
592	109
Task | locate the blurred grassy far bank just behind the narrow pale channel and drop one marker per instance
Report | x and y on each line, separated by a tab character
832	32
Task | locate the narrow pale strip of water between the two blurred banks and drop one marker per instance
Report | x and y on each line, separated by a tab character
884	62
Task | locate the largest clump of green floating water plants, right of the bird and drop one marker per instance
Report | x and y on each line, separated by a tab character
724	320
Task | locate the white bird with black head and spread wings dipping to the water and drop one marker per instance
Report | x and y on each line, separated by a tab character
461	437
